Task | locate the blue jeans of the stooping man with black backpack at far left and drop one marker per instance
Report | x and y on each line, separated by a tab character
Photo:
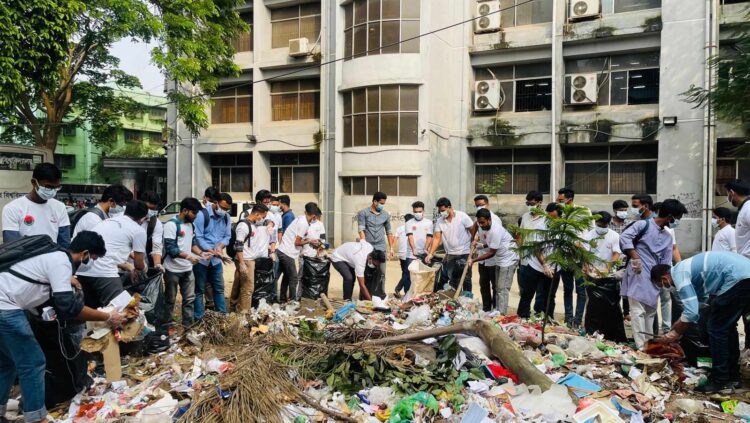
21	355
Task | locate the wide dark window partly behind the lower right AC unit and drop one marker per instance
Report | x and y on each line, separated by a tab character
623	79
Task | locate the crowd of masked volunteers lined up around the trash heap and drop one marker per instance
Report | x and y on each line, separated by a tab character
49	255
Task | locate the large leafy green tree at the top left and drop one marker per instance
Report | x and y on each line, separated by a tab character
56	68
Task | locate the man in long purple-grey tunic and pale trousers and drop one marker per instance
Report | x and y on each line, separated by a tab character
647	243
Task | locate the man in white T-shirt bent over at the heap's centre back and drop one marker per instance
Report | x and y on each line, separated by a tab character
350	260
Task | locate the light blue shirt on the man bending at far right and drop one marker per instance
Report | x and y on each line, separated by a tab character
705	275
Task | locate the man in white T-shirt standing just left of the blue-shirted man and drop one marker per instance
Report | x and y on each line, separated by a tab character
182	255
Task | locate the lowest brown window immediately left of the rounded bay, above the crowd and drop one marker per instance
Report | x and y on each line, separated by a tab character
295	173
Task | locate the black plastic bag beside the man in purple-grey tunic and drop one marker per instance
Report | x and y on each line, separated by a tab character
603	311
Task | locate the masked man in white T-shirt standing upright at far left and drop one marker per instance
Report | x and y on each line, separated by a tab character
38	213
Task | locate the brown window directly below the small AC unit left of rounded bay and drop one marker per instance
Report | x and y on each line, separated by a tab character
295	100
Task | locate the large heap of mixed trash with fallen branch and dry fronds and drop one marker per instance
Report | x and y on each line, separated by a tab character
431	359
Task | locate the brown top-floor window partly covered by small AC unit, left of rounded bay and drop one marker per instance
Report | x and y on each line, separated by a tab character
293	22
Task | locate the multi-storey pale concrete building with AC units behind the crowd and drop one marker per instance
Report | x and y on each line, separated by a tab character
338	99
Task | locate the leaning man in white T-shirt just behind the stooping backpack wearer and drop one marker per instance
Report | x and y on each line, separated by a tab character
123	235
